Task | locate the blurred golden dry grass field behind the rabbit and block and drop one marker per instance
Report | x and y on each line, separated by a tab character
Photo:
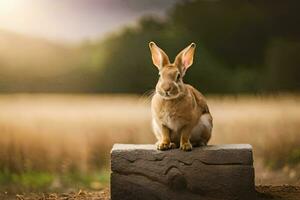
54	141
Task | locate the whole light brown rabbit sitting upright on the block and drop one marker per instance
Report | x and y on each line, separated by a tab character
180	115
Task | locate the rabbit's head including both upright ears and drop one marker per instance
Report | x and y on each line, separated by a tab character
170	84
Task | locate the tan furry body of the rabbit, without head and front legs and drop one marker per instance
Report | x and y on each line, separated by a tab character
190	110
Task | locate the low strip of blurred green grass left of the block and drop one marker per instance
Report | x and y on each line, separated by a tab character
45	181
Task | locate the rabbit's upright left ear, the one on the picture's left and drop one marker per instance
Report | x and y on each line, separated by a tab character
159	57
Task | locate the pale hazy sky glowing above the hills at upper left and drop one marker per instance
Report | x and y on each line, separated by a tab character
74	20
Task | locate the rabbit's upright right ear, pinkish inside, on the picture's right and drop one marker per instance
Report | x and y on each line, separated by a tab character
185	58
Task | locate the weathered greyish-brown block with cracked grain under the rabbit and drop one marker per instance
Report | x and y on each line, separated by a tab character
211	172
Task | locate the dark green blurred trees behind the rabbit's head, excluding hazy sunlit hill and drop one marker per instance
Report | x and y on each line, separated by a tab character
237	49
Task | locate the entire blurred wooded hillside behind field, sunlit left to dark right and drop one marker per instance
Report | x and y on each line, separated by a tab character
242	47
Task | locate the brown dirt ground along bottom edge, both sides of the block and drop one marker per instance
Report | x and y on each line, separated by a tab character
284	192
